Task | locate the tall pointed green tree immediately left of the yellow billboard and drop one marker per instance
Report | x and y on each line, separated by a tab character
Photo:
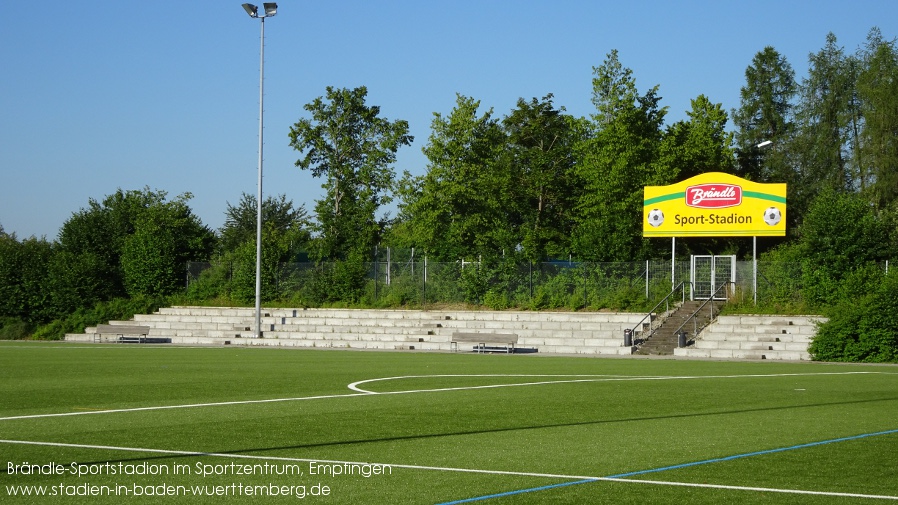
614	164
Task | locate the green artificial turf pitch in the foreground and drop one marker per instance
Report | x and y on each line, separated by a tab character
448	427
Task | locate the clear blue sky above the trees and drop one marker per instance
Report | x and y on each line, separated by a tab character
101	95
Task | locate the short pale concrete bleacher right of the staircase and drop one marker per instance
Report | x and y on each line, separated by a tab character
755	337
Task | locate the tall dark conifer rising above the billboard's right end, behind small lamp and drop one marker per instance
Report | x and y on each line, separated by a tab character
765	113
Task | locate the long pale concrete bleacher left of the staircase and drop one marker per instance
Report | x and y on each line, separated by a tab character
544	332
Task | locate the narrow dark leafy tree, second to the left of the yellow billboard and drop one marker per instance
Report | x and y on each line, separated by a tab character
541	142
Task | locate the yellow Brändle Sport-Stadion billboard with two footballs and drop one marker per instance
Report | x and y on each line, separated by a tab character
714	205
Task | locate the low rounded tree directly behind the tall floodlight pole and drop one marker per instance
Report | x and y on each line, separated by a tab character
241	221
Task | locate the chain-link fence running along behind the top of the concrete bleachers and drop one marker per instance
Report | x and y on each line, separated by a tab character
404	278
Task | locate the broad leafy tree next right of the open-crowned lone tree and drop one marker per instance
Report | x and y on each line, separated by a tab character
460	207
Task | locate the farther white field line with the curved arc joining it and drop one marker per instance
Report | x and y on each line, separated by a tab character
361	392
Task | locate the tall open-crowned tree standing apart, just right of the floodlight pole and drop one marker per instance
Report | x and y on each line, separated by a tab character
348	143
